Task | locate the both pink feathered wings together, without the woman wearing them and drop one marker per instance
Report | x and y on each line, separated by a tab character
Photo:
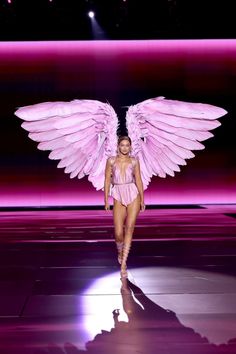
81	134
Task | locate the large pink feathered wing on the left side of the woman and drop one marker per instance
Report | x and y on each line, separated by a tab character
80	133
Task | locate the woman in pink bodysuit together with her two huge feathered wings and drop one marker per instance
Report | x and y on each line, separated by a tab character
82	134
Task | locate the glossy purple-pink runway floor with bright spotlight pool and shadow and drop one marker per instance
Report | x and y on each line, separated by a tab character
61	293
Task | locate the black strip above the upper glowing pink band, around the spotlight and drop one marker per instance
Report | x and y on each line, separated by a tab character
130	19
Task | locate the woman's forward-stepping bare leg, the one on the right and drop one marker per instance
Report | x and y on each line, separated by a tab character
132	213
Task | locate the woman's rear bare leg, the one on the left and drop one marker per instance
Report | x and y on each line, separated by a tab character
119	215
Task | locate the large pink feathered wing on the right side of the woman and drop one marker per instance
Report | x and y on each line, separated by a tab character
164	133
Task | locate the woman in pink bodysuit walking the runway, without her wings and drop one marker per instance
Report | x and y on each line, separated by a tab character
123	174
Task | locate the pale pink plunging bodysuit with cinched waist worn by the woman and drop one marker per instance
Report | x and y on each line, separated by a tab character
124	188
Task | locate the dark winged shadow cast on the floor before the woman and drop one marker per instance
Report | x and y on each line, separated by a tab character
150	329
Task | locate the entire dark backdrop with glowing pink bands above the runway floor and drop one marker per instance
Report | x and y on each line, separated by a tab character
47	53
